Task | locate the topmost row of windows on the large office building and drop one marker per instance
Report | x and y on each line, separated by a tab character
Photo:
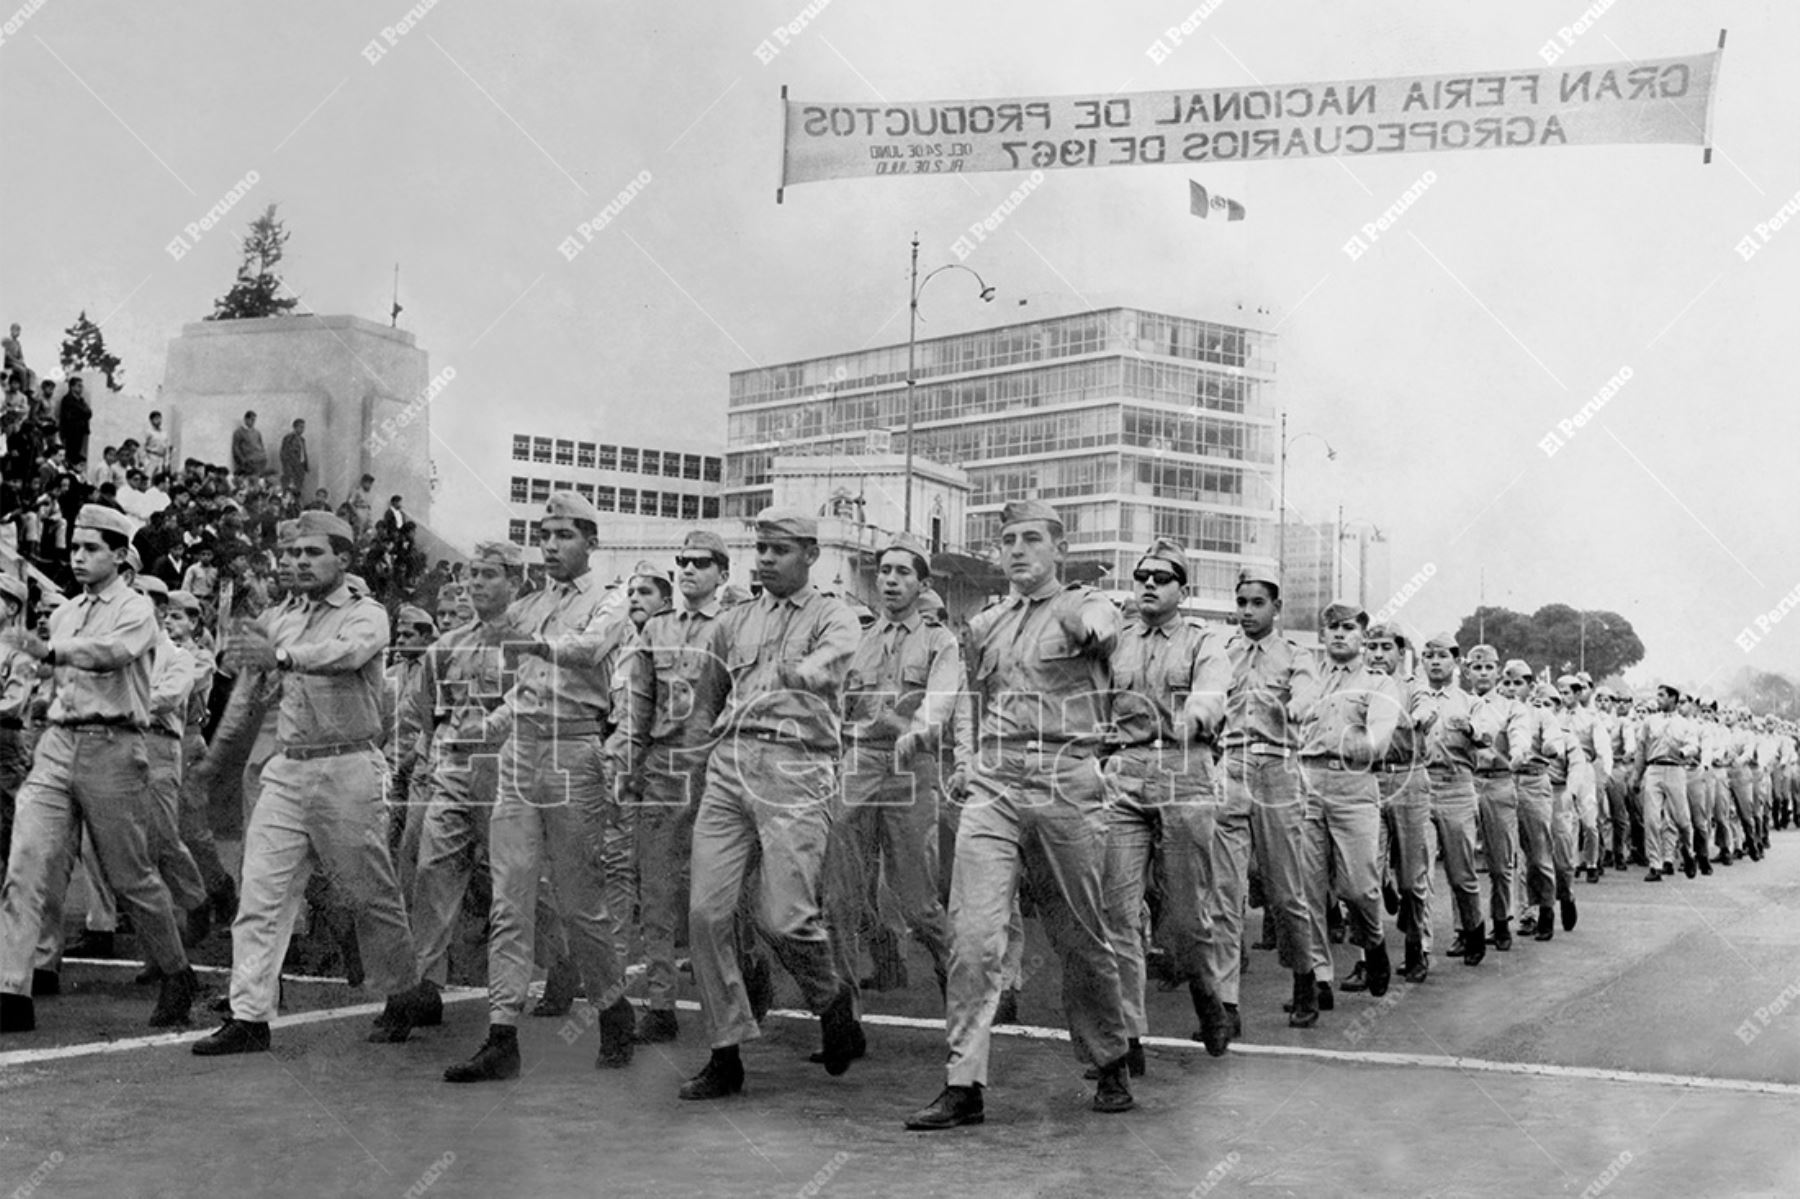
1066	338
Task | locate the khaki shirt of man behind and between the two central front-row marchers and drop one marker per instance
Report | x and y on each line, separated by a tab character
904	678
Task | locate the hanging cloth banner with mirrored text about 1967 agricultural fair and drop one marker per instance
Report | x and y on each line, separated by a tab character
1655	102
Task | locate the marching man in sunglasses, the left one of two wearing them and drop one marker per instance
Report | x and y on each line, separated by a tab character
665	714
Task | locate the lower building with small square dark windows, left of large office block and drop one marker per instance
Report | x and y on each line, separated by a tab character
638	482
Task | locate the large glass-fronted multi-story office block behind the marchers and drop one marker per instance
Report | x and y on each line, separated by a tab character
1135	424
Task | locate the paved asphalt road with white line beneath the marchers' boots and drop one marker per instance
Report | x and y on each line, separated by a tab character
1651	1052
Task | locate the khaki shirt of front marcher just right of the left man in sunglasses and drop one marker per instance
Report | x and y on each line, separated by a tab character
814	636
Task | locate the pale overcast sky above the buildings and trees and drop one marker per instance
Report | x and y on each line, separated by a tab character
1435	365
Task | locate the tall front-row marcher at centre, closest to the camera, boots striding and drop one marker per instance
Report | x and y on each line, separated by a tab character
1036	809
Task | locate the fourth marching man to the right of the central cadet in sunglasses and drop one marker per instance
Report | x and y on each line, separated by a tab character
1443	714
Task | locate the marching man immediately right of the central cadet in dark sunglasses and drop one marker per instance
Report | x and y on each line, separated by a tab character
1272	680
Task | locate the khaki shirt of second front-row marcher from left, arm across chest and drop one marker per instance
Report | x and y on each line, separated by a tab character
334	690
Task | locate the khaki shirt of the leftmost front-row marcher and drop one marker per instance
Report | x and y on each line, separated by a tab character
105	651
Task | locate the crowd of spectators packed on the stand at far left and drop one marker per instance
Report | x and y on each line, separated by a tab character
204	528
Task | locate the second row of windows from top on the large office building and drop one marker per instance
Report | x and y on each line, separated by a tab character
1158	383
